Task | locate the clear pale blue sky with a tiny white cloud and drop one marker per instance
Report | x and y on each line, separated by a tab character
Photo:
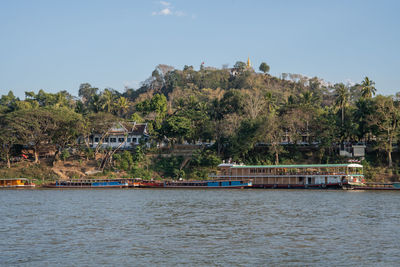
57	45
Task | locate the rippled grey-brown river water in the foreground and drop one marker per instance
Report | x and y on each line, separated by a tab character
198	227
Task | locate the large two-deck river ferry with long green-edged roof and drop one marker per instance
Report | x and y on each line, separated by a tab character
294	176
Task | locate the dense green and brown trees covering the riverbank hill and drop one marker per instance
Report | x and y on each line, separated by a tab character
238	114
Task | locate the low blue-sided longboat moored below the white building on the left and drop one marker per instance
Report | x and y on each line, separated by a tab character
89	183
